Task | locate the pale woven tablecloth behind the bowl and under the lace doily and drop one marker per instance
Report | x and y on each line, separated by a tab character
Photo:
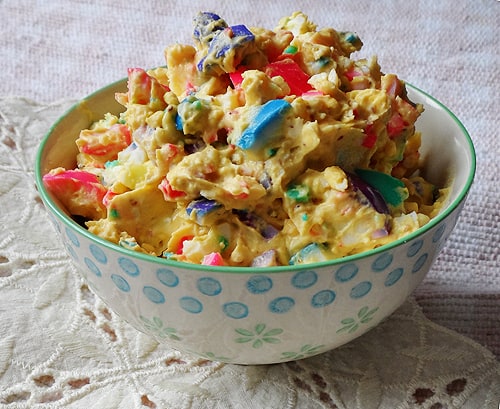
52	53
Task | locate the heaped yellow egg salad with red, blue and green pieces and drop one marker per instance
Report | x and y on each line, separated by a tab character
254	147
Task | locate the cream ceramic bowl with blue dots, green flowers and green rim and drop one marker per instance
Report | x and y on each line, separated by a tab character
266	315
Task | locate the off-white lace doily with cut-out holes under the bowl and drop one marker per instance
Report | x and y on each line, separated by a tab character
60	346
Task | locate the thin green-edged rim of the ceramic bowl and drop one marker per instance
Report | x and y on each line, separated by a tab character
69	222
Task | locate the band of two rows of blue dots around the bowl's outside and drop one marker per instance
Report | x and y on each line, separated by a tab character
320	292
